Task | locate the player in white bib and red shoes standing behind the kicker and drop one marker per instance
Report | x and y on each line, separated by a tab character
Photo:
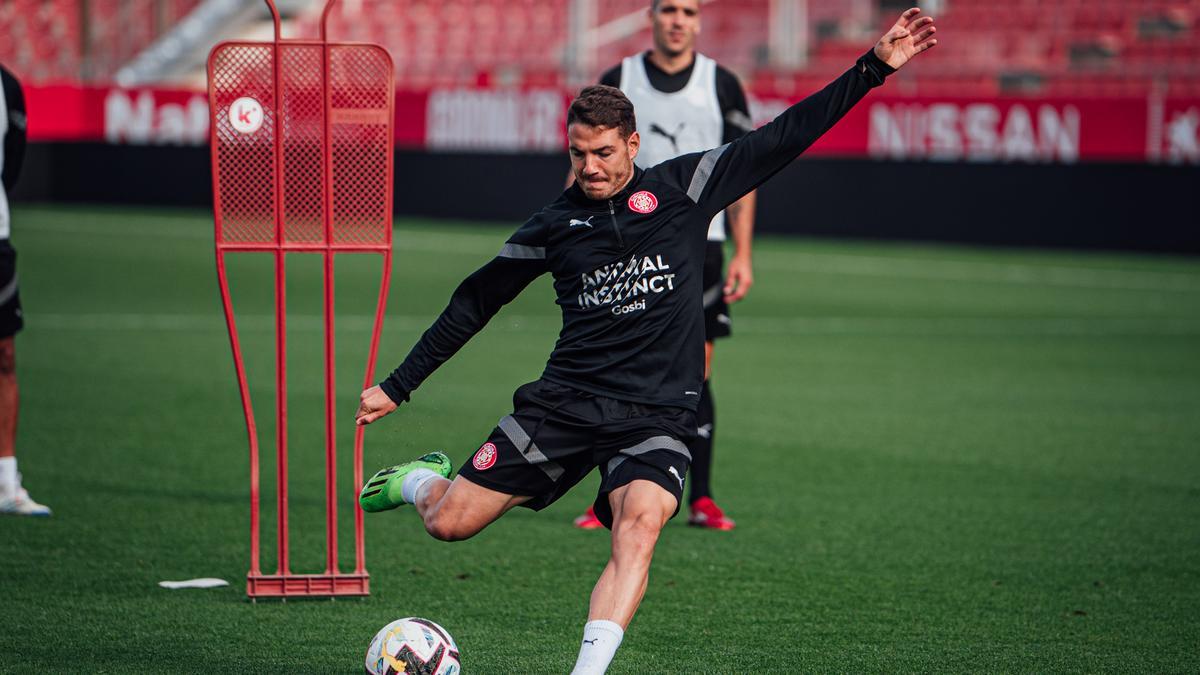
686	103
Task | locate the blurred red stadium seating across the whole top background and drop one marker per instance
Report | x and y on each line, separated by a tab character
1089	49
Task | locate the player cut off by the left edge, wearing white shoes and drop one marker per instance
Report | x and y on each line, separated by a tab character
14	498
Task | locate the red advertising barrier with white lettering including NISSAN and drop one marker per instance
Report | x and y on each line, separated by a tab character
507	121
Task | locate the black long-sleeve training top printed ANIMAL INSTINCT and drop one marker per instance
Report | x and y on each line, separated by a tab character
628	270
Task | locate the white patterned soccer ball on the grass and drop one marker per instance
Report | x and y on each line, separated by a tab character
412	646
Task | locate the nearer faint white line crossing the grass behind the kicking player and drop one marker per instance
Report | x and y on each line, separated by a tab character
751	326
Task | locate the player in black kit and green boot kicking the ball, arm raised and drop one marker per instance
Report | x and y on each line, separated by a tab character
627	250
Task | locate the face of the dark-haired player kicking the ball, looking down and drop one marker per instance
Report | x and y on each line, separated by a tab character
603	162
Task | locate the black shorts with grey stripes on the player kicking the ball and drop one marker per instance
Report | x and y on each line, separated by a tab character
557	435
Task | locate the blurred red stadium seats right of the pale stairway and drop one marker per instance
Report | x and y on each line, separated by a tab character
1037	47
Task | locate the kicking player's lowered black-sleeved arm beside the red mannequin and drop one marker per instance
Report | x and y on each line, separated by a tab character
472	306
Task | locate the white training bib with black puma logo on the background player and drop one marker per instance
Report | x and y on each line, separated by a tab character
676	124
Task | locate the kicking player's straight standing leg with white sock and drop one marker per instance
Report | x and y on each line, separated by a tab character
640	511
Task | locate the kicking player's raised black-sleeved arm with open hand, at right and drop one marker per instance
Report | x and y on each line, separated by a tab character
721	177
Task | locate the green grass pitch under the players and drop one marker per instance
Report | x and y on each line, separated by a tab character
941	459
